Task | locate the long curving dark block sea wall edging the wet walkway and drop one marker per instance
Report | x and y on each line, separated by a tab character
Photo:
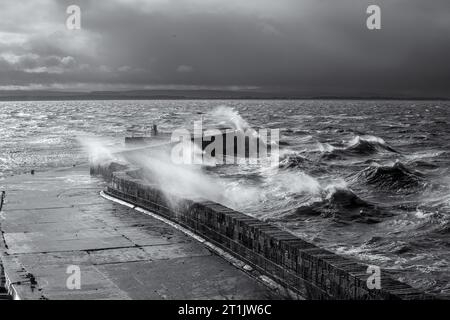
304	268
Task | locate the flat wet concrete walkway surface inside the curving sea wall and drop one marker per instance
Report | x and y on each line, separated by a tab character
53	220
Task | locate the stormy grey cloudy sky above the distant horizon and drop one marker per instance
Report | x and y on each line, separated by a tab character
310	46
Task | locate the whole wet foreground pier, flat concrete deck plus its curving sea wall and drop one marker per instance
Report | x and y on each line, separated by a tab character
131	240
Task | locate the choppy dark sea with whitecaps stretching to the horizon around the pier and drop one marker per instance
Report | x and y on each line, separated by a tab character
366	179
